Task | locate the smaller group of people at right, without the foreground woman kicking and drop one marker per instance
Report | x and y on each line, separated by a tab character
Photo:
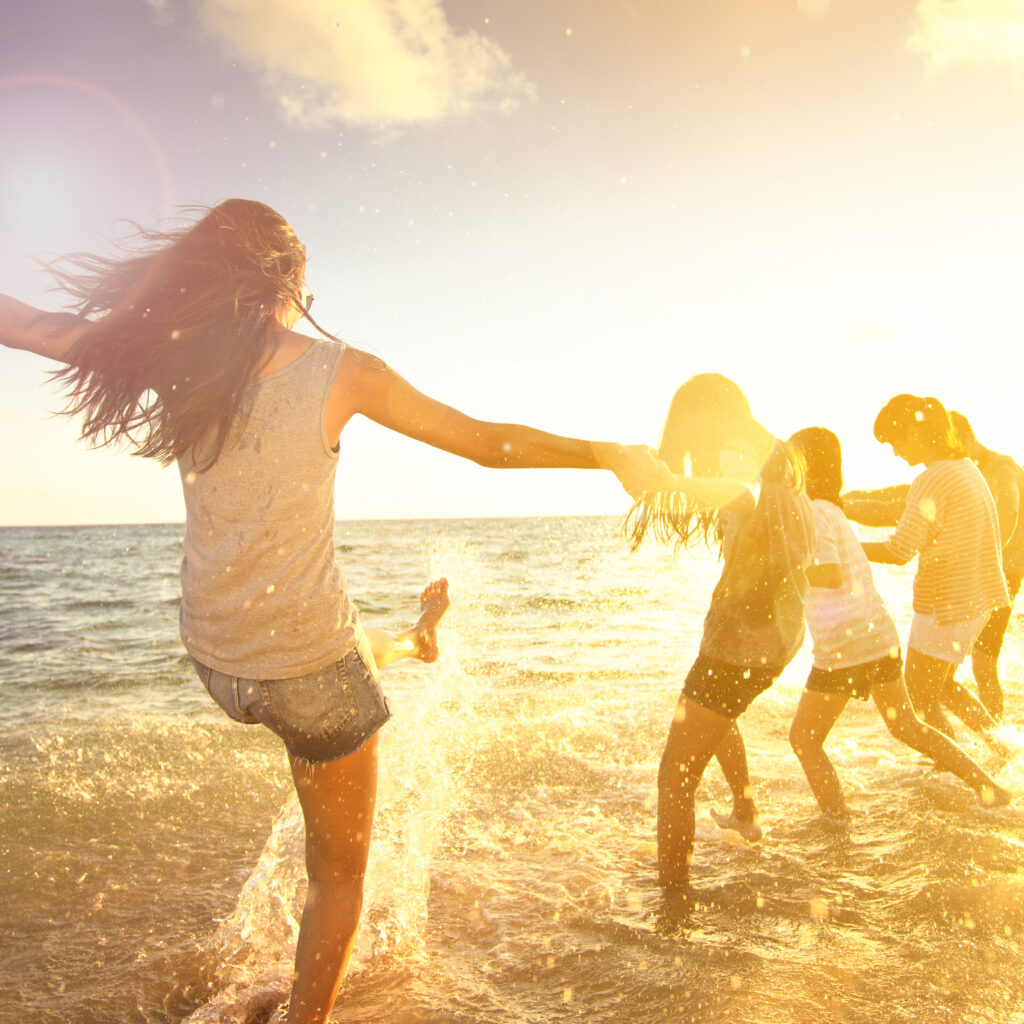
790	558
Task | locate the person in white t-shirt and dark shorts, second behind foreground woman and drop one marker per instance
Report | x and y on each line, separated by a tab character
857	647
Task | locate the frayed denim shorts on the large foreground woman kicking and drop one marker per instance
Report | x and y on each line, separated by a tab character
322	716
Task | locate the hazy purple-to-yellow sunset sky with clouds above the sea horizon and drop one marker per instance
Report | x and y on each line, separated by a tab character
549	214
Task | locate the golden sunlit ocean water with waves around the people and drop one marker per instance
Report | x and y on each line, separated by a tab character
151	866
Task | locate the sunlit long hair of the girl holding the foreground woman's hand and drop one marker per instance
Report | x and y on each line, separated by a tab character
707	413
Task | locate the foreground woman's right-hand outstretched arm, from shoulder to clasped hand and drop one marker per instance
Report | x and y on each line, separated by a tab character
369	387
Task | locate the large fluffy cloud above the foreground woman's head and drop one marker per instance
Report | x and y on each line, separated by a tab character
379	63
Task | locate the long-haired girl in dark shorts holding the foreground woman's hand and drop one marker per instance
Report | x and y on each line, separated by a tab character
744	488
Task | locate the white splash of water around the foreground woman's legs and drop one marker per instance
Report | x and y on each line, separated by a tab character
418	788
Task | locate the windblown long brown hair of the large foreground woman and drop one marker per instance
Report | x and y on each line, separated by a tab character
178	328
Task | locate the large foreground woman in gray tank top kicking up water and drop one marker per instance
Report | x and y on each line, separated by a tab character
185	352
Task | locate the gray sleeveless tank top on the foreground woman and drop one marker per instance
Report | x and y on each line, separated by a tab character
262	594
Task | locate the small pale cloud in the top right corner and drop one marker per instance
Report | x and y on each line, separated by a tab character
970	32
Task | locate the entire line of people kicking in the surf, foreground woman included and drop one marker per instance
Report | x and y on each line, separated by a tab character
186	351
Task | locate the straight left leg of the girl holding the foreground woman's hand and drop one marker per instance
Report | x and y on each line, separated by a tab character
694	738
